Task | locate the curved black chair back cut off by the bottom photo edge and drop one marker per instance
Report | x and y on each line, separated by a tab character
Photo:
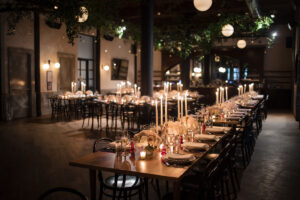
63	191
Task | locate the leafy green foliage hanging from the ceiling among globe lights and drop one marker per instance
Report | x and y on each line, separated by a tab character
185	36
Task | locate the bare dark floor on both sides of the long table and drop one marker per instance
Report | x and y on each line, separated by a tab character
35	154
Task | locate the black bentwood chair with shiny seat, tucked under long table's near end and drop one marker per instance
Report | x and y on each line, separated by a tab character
118	185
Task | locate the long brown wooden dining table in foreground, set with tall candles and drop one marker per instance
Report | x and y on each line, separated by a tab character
150	168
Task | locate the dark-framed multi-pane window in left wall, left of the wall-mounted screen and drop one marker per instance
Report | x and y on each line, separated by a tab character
86	72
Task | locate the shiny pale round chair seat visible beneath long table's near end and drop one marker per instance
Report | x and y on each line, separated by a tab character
129	181
